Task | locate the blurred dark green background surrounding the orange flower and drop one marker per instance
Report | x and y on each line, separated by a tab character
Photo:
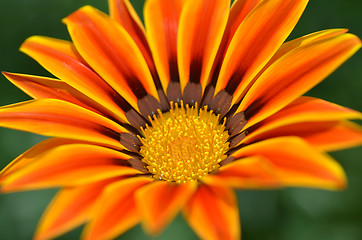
278	214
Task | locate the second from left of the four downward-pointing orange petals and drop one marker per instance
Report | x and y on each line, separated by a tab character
116	211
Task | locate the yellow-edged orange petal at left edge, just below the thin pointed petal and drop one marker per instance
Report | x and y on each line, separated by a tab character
52	117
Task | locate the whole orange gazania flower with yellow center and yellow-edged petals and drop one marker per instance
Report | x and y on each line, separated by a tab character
147	122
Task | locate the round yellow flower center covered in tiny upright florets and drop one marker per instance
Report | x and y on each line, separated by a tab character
184	144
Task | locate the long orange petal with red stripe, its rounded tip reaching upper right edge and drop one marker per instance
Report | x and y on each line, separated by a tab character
294	74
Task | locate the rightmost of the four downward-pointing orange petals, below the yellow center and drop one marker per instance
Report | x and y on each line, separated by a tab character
213	214
